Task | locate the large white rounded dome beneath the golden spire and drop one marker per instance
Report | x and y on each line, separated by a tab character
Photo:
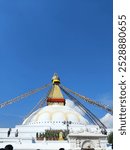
55	114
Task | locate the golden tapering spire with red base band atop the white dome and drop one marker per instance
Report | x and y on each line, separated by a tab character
55	96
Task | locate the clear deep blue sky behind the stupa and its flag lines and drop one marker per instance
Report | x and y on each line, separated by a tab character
38	38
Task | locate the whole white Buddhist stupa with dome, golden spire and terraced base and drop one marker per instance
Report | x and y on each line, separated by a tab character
53	127
